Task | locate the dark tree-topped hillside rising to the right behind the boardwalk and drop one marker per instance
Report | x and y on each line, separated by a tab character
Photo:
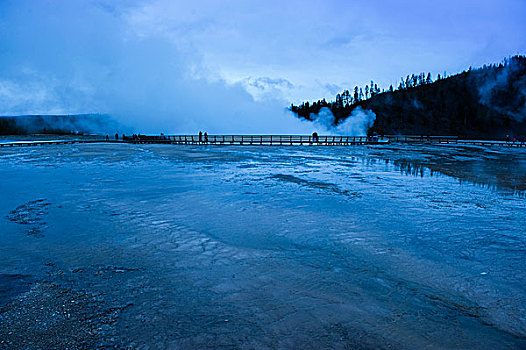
488	102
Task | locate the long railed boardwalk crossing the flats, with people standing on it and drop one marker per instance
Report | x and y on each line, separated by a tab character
272	140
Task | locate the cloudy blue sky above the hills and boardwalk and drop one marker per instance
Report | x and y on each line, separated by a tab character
233	66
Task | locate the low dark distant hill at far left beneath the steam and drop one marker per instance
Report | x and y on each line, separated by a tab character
57	124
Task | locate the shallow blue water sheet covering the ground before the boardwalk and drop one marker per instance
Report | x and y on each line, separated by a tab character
274	247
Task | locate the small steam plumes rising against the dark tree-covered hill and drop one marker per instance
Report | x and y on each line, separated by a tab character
357	124
